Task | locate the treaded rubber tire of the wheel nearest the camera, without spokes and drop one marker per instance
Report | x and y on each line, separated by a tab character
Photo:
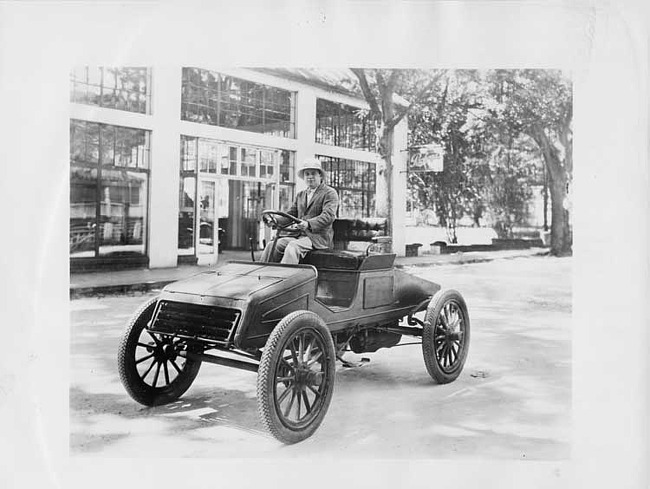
284	331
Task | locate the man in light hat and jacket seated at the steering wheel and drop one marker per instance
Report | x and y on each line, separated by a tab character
316	208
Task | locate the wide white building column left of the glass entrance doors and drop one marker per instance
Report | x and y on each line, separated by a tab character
165	166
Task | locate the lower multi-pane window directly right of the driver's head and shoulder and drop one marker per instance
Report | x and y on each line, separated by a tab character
356	183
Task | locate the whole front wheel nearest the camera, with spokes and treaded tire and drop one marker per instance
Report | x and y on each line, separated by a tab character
295	380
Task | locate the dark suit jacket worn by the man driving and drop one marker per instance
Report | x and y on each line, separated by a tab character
320	214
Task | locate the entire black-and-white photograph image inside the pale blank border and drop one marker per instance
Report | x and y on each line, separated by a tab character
439	193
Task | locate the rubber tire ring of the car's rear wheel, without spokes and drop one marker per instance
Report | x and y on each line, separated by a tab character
434	308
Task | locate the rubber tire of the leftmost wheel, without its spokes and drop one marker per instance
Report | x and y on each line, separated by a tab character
139	390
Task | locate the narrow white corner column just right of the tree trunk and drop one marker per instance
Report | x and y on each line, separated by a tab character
398	200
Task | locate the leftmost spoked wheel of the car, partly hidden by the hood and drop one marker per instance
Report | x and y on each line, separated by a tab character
149	364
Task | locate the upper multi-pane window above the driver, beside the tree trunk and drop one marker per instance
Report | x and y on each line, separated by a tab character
344	125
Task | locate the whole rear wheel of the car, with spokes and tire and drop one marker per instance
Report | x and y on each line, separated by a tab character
445	339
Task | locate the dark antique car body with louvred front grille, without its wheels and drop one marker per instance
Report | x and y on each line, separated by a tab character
254	297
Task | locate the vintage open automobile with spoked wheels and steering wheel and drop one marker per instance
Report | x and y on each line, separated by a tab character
289	323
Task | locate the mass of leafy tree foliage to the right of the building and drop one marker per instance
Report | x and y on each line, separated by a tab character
498	128
